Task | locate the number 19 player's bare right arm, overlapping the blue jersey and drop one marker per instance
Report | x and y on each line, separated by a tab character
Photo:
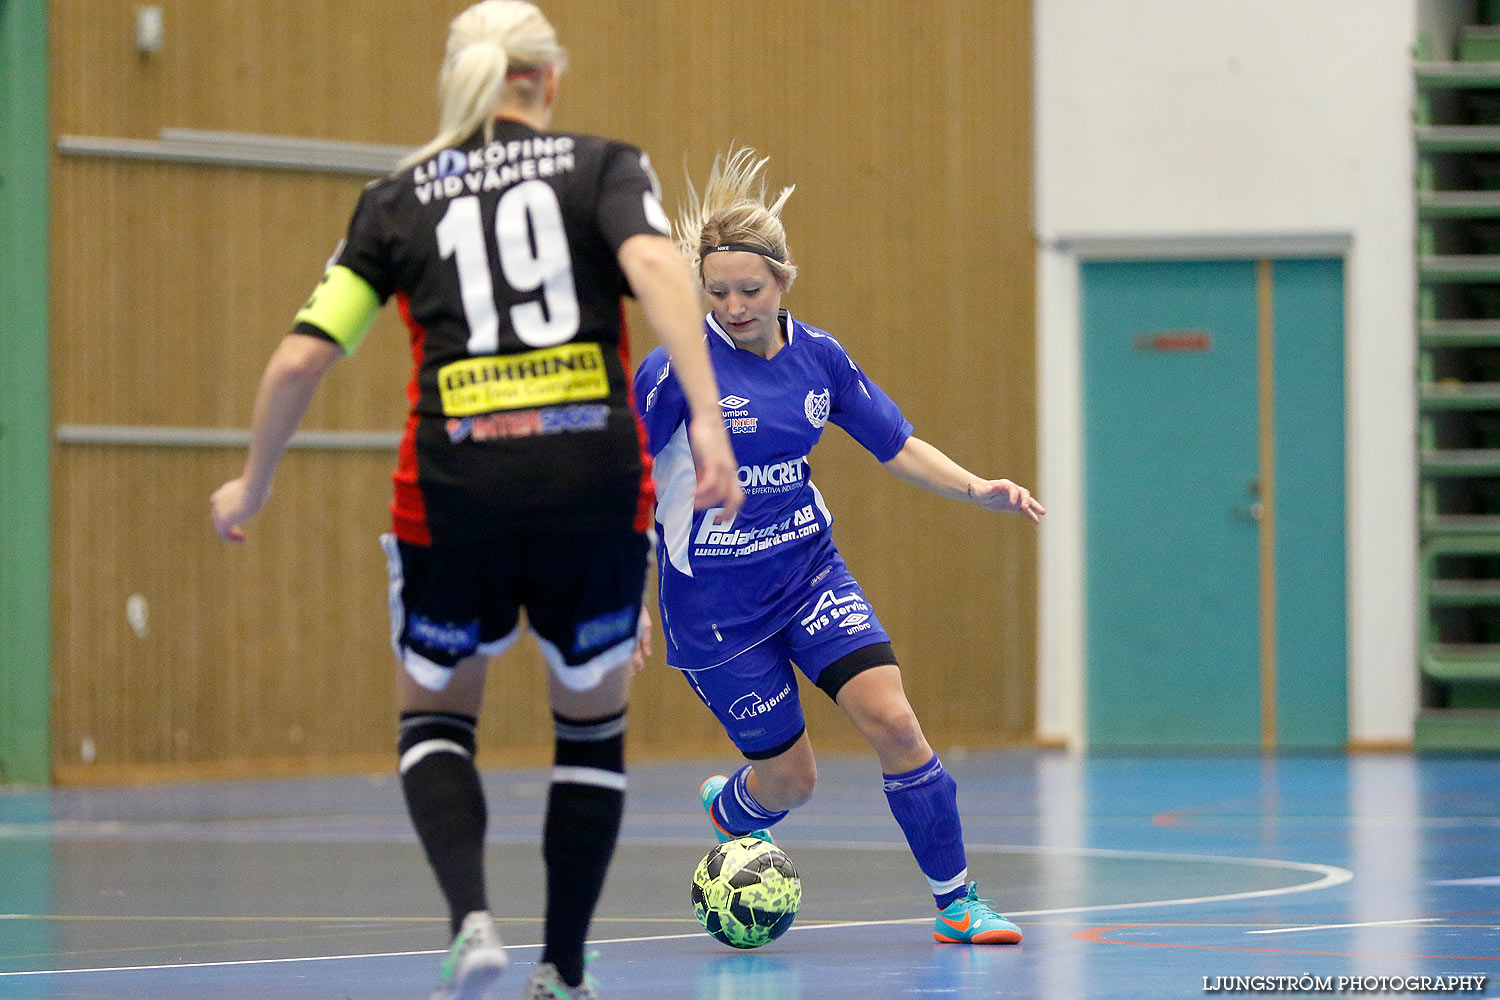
665	289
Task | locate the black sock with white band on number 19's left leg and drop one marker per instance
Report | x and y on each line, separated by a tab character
446	804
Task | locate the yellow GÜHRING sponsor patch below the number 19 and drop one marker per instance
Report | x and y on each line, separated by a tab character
538	379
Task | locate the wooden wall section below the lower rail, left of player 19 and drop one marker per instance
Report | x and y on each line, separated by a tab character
265	651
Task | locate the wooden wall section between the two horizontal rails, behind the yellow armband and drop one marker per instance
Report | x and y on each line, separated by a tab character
178	284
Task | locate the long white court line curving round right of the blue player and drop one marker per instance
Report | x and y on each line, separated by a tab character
1330	876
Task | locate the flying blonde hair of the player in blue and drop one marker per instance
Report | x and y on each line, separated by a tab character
733	211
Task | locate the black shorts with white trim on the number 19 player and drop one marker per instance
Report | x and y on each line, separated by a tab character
581	591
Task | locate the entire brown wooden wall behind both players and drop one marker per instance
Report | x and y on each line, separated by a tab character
907	131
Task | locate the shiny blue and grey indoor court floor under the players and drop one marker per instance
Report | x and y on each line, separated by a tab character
1132	876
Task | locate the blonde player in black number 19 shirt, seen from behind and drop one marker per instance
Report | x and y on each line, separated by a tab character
521	482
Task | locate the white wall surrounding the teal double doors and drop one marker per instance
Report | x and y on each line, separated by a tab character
1253	127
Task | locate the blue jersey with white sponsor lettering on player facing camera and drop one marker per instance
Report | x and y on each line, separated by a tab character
727	584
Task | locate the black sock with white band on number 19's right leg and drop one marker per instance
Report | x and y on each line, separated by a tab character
584	809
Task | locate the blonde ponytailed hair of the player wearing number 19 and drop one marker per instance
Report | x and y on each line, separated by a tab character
488	43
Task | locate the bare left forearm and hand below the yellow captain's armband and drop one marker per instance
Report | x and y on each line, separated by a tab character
292	377
